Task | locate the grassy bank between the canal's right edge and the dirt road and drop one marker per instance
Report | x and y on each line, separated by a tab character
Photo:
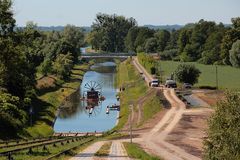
134	85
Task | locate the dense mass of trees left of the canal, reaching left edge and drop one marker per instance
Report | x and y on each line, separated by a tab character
25	55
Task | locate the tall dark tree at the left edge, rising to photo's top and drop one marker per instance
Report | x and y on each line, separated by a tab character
15	71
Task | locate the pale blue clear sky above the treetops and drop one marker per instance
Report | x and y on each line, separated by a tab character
156	12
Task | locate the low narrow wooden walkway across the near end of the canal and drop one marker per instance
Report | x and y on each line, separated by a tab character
77	134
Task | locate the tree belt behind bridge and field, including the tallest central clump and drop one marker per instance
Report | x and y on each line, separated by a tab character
205	41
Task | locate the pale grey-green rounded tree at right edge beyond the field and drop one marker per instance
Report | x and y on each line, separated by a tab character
234	54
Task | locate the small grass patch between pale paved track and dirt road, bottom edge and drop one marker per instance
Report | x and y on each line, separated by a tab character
134	151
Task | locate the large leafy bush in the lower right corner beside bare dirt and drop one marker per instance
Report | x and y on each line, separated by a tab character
223	140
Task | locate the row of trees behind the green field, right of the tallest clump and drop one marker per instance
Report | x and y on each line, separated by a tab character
205	42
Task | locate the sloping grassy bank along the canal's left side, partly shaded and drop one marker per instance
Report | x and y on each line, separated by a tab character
49	100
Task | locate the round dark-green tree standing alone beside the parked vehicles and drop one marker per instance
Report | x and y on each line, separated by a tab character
187	73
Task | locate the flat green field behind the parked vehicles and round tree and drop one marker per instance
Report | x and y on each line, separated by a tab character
228	77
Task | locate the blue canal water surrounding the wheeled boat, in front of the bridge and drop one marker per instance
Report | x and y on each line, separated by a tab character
73	115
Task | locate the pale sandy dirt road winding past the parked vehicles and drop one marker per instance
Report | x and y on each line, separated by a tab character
155	141
